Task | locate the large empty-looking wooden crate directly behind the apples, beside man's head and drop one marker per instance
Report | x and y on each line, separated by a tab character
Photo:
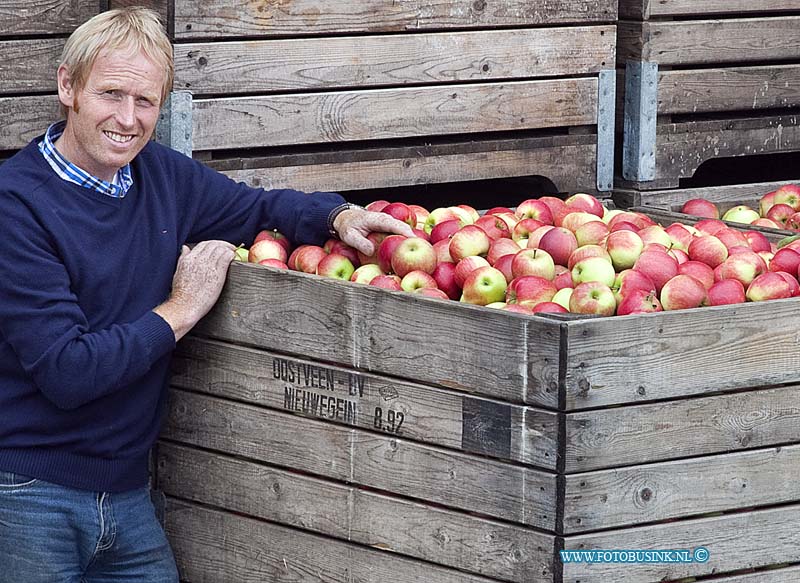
347	96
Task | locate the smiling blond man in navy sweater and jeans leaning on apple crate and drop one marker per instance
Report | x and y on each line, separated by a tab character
97	285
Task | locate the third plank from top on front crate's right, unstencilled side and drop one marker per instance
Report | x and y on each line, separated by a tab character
655	492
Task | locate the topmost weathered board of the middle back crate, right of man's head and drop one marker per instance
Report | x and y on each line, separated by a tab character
216	18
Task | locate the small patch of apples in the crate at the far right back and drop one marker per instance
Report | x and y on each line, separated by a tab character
779	209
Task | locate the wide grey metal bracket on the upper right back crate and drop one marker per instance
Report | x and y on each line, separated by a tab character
641	110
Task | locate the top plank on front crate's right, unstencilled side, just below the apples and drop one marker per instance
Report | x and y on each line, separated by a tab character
646	357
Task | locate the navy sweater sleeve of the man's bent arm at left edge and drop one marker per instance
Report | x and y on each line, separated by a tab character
41	319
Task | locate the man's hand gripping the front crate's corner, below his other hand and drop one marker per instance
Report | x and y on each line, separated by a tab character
196	285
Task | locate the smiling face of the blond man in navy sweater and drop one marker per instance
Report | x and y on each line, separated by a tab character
111	118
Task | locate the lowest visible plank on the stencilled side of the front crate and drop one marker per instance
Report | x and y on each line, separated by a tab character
216	546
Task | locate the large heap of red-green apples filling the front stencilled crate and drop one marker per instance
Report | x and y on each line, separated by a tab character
553	255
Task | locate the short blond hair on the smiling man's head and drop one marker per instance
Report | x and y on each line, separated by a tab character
136	29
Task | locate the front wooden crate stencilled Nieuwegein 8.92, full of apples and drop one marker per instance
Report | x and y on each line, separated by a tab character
328	430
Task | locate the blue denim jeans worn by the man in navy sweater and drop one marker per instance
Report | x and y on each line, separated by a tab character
54	534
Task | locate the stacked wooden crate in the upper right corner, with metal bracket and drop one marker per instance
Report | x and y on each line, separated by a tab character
706	80
